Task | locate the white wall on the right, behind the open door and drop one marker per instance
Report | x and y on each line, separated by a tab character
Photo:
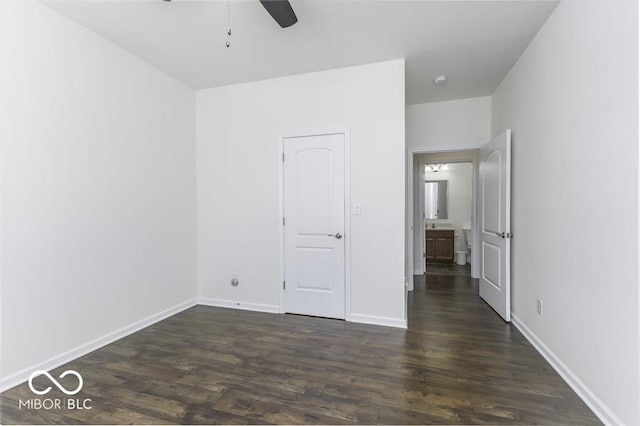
572	102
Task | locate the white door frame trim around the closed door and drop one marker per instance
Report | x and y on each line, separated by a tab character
347	204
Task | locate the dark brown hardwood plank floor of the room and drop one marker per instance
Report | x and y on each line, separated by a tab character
458	363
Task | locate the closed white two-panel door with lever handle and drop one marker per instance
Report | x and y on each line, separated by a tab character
314	224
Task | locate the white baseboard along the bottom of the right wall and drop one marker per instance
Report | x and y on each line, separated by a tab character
593	402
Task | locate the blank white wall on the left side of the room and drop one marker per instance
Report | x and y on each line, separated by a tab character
98	188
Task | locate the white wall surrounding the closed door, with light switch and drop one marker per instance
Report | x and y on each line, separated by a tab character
238	188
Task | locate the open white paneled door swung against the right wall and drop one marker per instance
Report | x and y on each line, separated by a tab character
495	224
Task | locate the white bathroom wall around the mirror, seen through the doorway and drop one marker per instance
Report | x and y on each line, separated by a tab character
459	176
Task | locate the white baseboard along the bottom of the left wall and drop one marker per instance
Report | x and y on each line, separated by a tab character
22	376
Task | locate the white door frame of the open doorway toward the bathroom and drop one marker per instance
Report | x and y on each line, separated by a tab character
410	203
